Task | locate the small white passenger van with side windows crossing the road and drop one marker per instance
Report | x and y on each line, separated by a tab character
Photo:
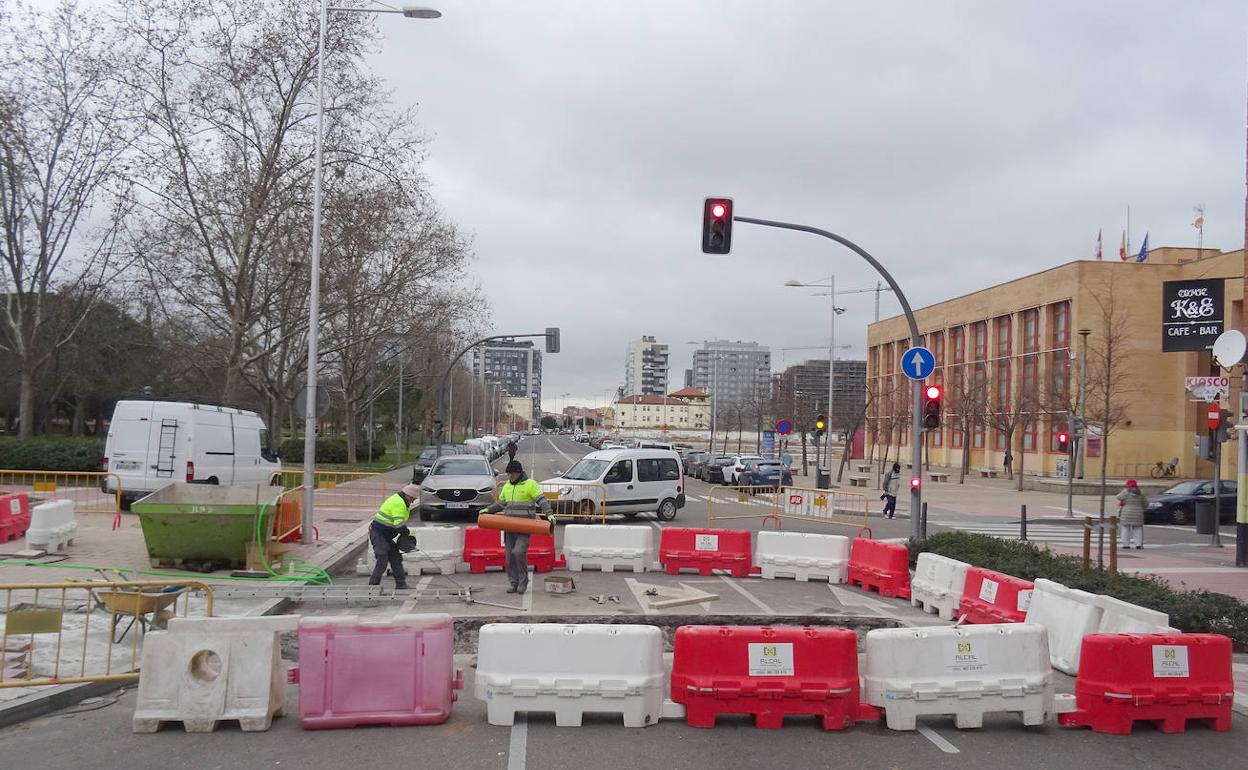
637	481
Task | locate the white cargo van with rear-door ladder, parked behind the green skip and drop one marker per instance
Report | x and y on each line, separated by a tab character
154	444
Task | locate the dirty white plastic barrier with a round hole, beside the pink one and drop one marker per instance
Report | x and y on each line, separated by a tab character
208	672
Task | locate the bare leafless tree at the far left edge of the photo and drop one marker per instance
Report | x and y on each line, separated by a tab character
62	165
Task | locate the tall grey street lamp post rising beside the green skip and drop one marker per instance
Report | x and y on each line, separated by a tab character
310	422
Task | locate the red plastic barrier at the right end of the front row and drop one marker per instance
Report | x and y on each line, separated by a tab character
1161	678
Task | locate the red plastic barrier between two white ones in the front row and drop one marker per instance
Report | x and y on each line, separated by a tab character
769	672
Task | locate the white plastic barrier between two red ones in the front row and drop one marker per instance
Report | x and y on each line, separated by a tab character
967	671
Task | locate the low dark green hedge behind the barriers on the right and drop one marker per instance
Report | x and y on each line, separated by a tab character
1190	611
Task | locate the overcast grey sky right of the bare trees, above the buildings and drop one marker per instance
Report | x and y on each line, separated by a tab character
964	144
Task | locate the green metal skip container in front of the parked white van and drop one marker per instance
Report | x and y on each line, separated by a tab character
188	526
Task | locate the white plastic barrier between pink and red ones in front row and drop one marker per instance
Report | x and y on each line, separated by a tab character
571	671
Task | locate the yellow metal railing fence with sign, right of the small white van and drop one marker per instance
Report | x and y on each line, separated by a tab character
797	504
